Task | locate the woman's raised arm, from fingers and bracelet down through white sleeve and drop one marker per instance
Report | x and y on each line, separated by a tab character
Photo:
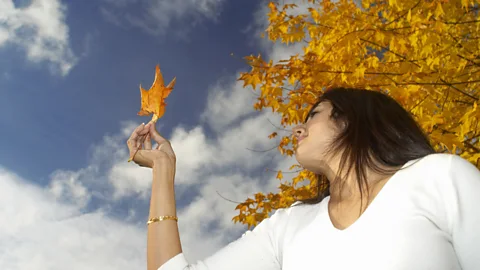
256	250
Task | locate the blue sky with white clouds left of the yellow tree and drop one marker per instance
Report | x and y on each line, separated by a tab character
69	77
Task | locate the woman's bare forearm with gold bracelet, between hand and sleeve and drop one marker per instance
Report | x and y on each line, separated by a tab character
163	240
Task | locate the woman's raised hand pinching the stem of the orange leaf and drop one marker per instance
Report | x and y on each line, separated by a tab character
146	156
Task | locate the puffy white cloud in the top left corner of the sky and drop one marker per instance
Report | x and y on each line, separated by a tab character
40	29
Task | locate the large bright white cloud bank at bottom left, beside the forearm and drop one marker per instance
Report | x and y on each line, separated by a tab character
37	232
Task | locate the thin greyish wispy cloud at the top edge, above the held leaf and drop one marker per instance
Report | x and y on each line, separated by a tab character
156	16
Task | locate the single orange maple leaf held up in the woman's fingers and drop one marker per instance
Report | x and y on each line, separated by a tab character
153	100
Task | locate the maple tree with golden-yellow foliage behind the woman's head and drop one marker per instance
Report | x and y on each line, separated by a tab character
423	53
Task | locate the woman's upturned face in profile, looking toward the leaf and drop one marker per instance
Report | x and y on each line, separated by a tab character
314	137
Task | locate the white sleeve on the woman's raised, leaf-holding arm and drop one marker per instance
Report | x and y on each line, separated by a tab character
258	249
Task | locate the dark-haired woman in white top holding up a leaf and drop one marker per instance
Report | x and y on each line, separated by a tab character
392	202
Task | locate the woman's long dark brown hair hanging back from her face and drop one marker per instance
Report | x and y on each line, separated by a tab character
379	133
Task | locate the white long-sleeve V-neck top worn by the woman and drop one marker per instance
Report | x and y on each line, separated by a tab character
427	216
